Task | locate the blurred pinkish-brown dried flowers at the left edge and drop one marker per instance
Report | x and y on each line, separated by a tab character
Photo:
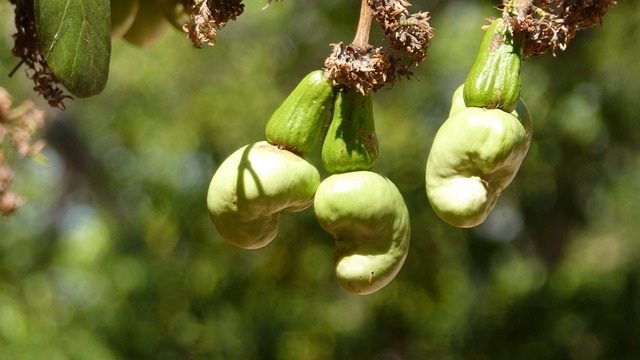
17	125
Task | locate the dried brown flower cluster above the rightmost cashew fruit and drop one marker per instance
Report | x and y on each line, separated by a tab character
551	24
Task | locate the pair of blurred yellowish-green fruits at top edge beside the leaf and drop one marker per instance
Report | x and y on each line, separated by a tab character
144	22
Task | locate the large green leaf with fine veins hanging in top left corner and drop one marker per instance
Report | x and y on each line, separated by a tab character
76	43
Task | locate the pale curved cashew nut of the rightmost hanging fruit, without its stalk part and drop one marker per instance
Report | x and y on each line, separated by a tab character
475	155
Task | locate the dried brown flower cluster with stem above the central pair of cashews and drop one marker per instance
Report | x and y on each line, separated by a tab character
368	68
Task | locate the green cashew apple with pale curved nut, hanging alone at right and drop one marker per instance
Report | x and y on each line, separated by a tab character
478	150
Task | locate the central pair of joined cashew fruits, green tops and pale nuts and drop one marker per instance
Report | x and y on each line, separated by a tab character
364	211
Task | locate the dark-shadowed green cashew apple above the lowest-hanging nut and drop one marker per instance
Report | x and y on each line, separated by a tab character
351	143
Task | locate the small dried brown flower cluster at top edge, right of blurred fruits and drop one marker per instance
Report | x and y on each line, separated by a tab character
209	16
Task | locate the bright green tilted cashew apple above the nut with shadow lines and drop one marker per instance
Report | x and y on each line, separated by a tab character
298	123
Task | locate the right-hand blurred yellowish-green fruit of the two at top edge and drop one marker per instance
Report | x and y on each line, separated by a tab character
149	26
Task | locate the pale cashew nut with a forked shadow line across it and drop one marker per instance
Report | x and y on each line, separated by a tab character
252	187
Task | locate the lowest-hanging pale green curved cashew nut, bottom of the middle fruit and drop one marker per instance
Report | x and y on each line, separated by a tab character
367	216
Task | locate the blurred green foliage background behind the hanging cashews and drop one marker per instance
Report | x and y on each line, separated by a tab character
113	255
